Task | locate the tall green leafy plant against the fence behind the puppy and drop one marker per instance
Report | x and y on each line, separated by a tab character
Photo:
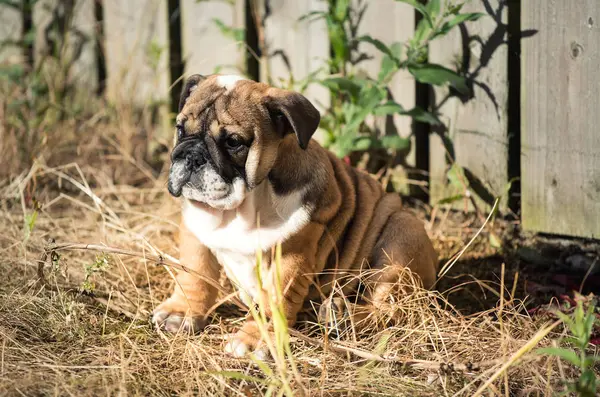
356	97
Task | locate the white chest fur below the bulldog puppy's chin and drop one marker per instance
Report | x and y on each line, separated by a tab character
234	236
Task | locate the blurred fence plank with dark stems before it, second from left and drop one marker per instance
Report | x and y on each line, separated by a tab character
65	42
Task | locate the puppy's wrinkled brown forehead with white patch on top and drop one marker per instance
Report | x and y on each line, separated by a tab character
226	99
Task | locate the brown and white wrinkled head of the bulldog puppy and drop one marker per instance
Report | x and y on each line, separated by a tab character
229	134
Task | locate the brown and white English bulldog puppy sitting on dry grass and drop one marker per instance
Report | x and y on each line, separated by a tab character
250	177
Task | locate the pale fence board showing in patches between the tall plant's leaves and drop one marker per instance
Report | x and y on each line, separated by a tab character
390	22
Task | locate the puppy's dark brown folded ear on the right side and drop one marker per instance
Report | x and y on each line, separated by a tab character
292	112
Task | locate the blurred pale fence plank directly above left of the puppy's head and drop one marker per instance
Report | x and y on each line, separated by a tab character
137	51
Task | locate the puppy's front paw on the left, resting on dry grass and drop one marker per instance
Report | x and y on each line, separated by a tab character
173	316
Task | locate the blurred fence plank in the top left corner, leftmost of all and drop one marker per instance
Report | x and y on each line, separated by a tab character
11	30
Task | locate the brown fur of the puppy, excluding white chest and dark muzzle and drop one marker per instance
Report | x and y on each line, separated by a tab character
354	226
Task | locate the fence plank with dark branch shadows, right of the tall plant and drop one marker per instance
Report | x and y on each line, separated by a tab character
477	129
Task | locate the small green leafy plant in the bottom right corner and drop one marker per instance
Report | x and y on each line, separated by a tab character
581	326
